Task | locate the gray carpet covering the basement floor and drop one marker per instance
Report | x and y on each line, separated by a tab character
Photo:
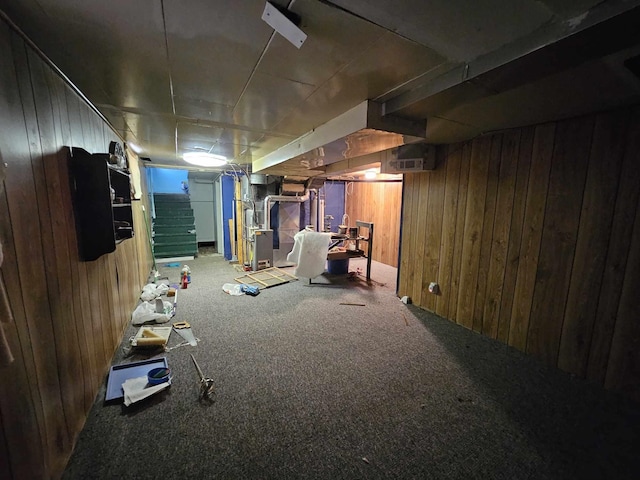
309	388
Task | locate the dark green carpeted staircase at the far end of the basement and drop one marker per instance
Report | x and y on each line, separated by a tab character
174	231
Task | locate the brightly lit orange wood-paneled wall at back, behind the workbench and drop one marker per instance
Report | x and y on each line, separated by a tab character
378	203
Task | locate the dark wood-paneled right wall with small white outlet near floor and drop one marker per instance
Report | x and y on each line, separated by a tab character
534	238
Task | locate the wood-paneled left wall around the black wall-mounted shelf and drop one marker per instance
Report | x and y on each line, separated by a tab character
69	315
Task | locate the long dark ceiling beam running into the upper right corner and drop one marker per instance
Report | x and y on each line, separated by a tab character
550	49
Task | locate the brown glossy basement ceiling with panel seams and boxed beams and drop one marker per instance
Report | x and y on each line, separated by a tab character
177	76
